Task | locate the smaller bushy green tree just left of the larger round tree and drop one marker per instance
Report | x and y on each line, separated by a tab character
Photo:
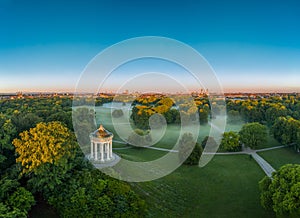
231	142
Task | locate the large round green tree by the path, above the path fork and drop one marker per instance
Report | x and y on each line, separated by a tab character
253	135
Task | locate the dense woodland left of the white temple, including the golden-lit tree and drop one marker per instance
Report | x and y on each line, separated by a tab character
40	159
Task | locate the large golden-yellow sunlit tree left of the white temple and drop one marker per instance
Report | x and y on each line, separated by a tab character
46	143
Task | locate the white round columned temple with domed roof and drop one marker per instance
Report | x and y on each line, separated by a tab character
101	145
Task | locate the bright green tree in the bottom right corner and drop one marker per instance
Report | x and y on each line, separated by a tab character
281	193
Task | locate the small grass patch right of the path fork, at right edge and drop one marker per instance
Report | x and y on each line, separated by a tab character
280	157
